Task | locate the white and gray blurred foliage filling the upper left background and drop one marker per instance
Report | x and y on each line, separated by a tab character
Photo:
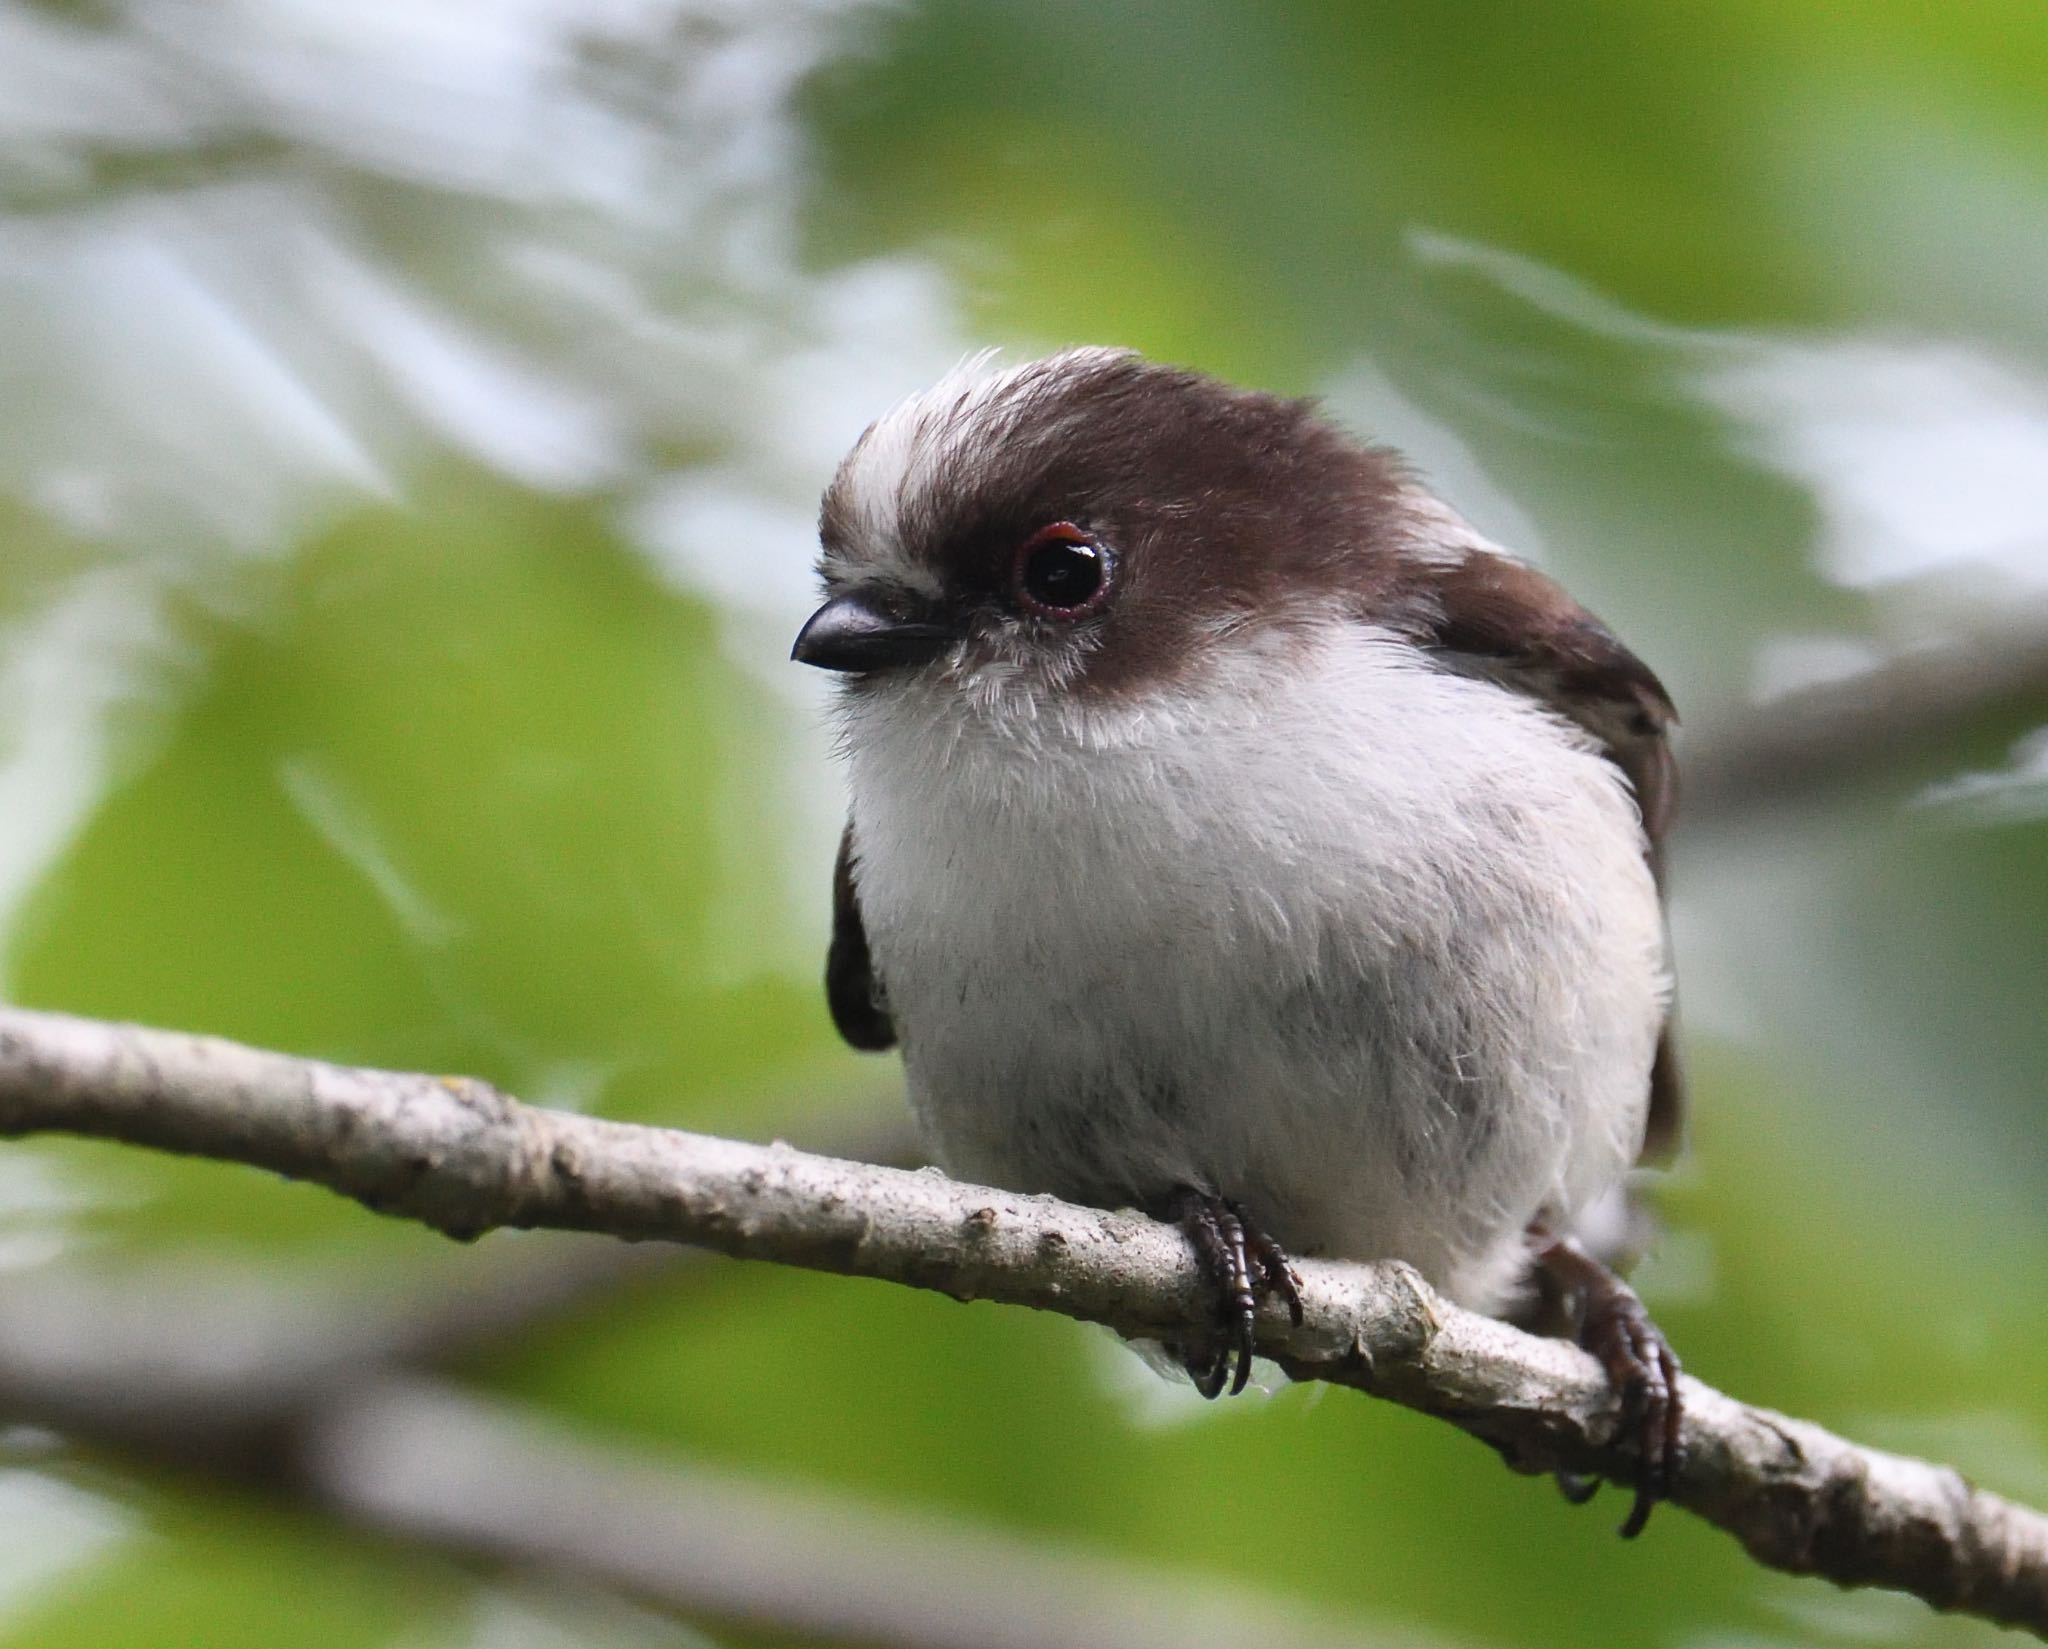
288	251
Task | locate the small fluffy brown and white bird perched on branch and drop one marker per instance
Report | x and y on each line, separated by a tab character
1238	835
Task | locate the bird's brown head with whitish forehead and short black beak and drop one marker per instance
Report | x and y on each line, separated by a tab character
1095	530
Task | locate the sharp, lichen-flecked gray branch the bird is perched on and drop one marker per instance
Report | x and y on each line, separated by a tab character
464	1158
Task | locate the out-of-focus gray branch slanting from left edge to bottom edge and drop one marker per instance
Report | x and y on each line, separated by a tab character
275	1392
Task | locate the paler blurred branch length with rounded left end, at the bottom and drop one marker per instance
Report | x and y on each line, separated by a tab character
439	1466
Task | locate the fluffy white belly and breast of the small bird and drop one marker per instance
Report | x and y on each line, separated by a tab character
1359	943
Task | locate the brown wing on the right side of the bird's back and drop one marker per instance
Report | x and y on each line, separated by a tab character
1517	628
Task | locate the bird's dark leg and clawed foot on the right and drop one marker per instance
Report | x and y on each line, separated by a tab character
1617	1328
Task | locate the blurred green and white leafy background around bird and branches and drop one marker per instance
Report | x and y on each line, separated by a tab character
413	425
